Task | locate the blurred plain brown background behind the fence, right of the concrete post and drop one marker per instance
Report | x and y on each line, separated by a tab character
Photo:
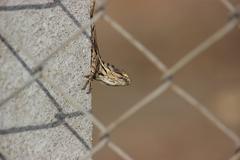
169	128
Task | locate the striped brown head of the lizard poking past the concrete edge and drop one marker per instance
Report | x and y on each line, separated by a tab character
112	76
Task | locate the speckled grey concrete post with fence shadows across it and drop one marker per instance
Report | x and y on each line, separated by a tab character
30	127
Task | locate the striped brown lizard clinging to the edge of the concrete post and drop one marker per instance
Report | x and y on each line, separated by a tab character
101	71
